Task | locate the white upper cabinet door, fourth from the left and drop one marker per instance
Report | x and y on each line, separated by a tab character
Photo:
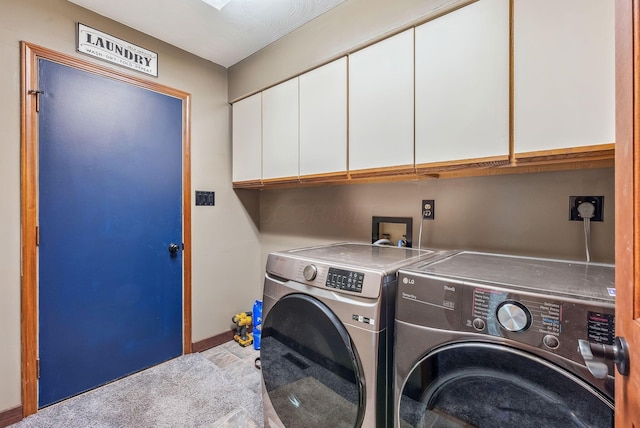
381	104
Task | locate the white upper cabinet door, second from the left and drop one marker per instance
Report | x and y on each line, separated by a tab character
280	130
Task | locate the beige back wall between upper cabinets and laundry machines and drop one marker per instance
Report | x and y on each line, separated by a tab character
523	214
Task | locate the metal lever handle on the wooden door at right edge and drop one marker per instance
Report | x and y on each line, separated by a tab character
618	353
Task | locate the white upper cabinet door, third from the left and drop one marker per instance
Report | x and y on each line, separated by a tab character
323	119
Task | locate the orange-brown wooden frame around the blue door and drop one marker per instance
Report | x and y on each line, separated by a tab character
30	54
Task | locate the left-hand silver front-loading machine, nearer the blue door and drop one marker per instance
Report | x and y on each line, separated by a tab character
327	334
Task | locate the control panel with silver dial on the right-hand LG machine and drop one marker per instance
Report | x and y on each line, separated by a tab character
549	322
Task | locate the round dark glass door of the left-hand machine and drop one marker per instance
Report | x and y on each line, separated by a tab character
310	369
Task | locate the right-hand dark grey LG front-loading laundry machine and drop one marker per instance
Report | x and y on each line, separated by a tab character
491	340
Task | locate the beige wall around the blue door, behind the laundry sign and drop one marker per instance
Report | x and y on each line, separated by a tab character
225	237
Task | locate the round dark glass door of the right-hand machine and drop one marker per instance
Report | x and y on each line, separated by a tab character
486	385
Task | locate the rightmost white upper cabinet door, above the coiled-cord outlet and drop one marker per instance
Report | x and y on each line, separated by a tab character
564	65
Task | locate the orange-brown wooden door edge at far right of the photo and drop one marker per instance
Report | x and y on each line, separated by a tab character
627	185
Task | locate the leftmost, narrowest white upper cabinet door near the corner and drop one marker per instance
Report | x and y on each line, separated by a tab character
247	139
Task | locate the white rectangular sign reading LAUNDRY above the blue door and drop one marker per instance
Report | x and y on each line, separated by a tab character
106	47
